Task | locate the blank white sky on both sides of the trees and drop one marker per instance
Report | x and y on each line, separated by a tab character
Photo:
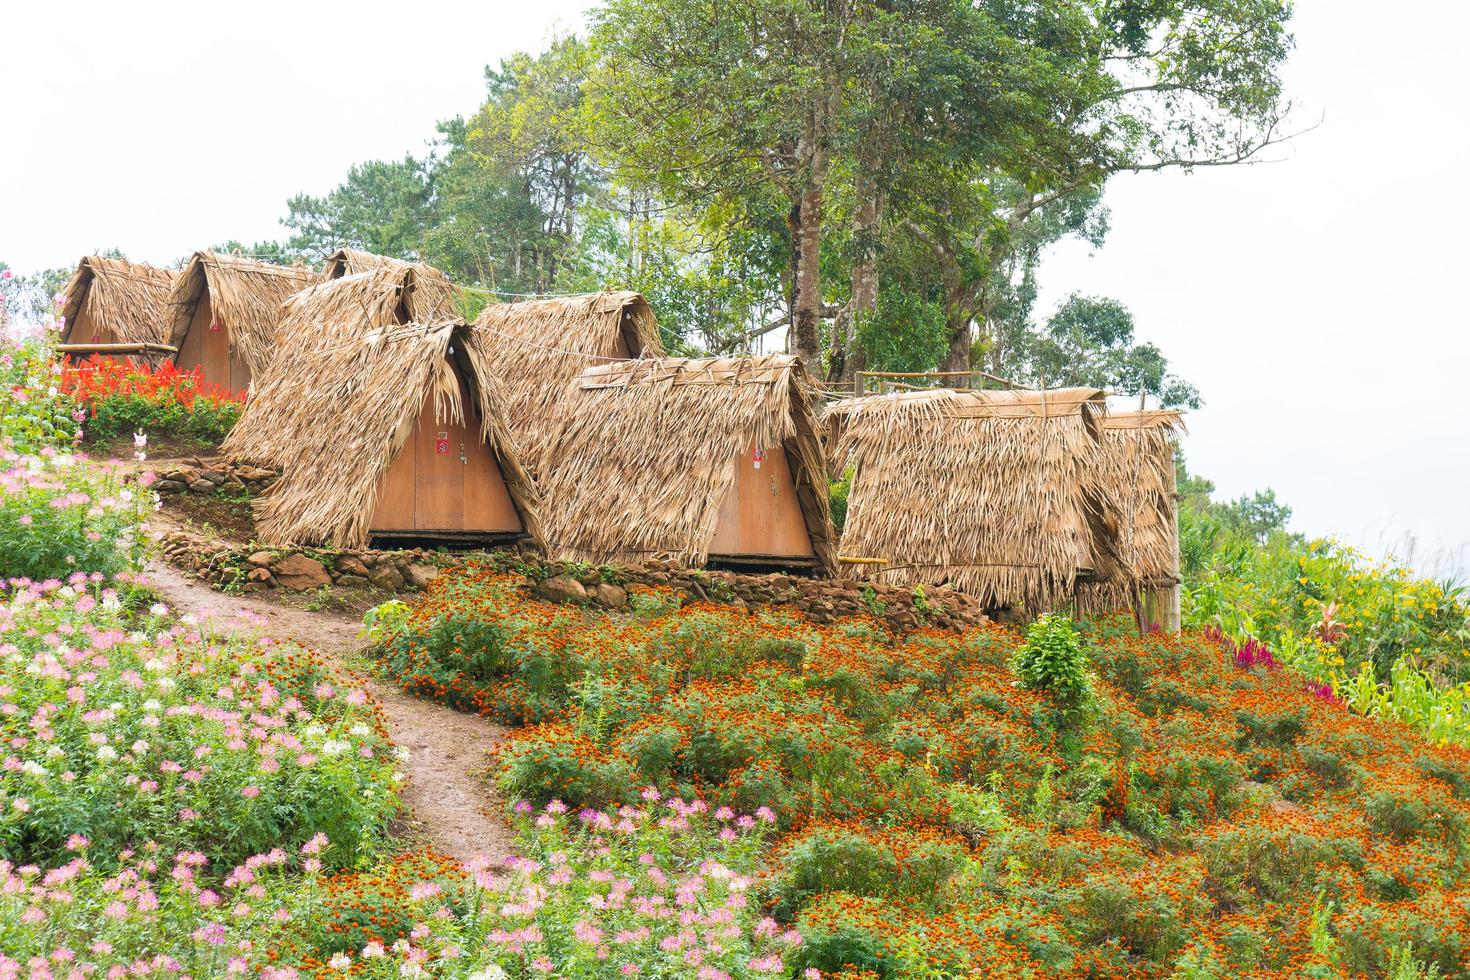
1316	302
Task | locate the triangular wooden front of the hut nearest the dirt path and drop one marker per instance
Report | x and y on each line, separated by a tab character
446	483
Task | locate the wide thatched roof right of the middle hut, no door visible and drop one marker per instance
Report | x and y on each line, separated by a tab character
993	493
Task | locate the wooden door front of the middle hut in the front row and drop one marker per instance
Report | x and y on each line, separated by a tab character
762	516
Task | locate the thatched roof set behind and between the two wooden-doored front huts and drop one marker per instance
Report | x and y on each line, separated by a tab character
542	346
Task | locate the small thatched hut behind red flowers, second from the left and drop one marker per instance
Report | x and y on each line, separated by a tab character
224	312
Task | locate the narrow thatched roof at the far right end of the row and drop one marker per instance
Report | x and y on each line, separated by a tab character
1139	462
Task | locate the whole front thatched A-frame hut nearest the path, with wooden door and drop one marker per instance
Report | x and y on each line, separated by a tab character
395	431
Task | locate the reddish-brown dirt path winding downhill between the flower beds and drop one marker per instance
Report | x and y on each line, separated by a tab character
452	806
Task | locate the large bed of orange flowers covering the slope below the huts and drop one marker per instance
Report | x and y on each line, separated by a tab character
1199	813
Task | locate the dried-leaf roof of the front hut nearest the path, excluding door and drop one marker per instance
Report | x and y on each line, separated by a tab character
336	418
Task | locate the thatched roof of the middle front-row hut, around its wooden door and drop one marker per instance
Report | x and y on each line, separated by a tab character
643	455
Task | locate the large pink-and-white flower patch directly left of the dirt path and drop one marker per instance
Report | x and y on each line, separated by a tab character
130	731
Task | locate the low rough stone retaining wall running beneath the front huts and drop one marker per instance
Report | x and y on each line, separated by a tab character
606	587
